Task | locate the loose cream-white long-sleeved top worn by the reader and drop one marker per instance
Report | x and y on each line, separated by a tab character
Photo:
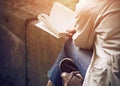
98	27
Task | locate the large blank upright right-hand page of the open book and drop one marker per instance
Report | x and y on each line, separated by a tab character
61	17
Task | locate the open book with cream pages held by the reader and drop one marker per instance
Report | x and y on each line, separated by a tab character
60	19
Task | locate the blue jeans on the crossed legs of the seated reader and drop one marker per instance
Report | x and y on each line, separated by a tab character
81	58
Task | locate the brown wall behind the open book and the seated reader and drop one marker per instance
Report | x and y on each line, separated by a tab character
26	52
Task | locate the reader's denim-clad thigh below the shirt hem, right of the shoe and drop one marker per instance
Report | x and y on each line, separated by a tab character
81	57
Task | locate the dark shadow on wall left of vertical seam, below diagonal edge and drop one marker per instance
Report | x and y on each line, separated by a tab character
12	63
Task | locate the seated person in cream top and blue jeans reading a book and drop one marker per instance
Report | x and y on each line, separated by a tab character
94	44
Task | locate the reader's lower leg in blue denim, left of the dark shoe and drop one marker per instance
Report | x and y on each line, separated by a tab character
54	73
